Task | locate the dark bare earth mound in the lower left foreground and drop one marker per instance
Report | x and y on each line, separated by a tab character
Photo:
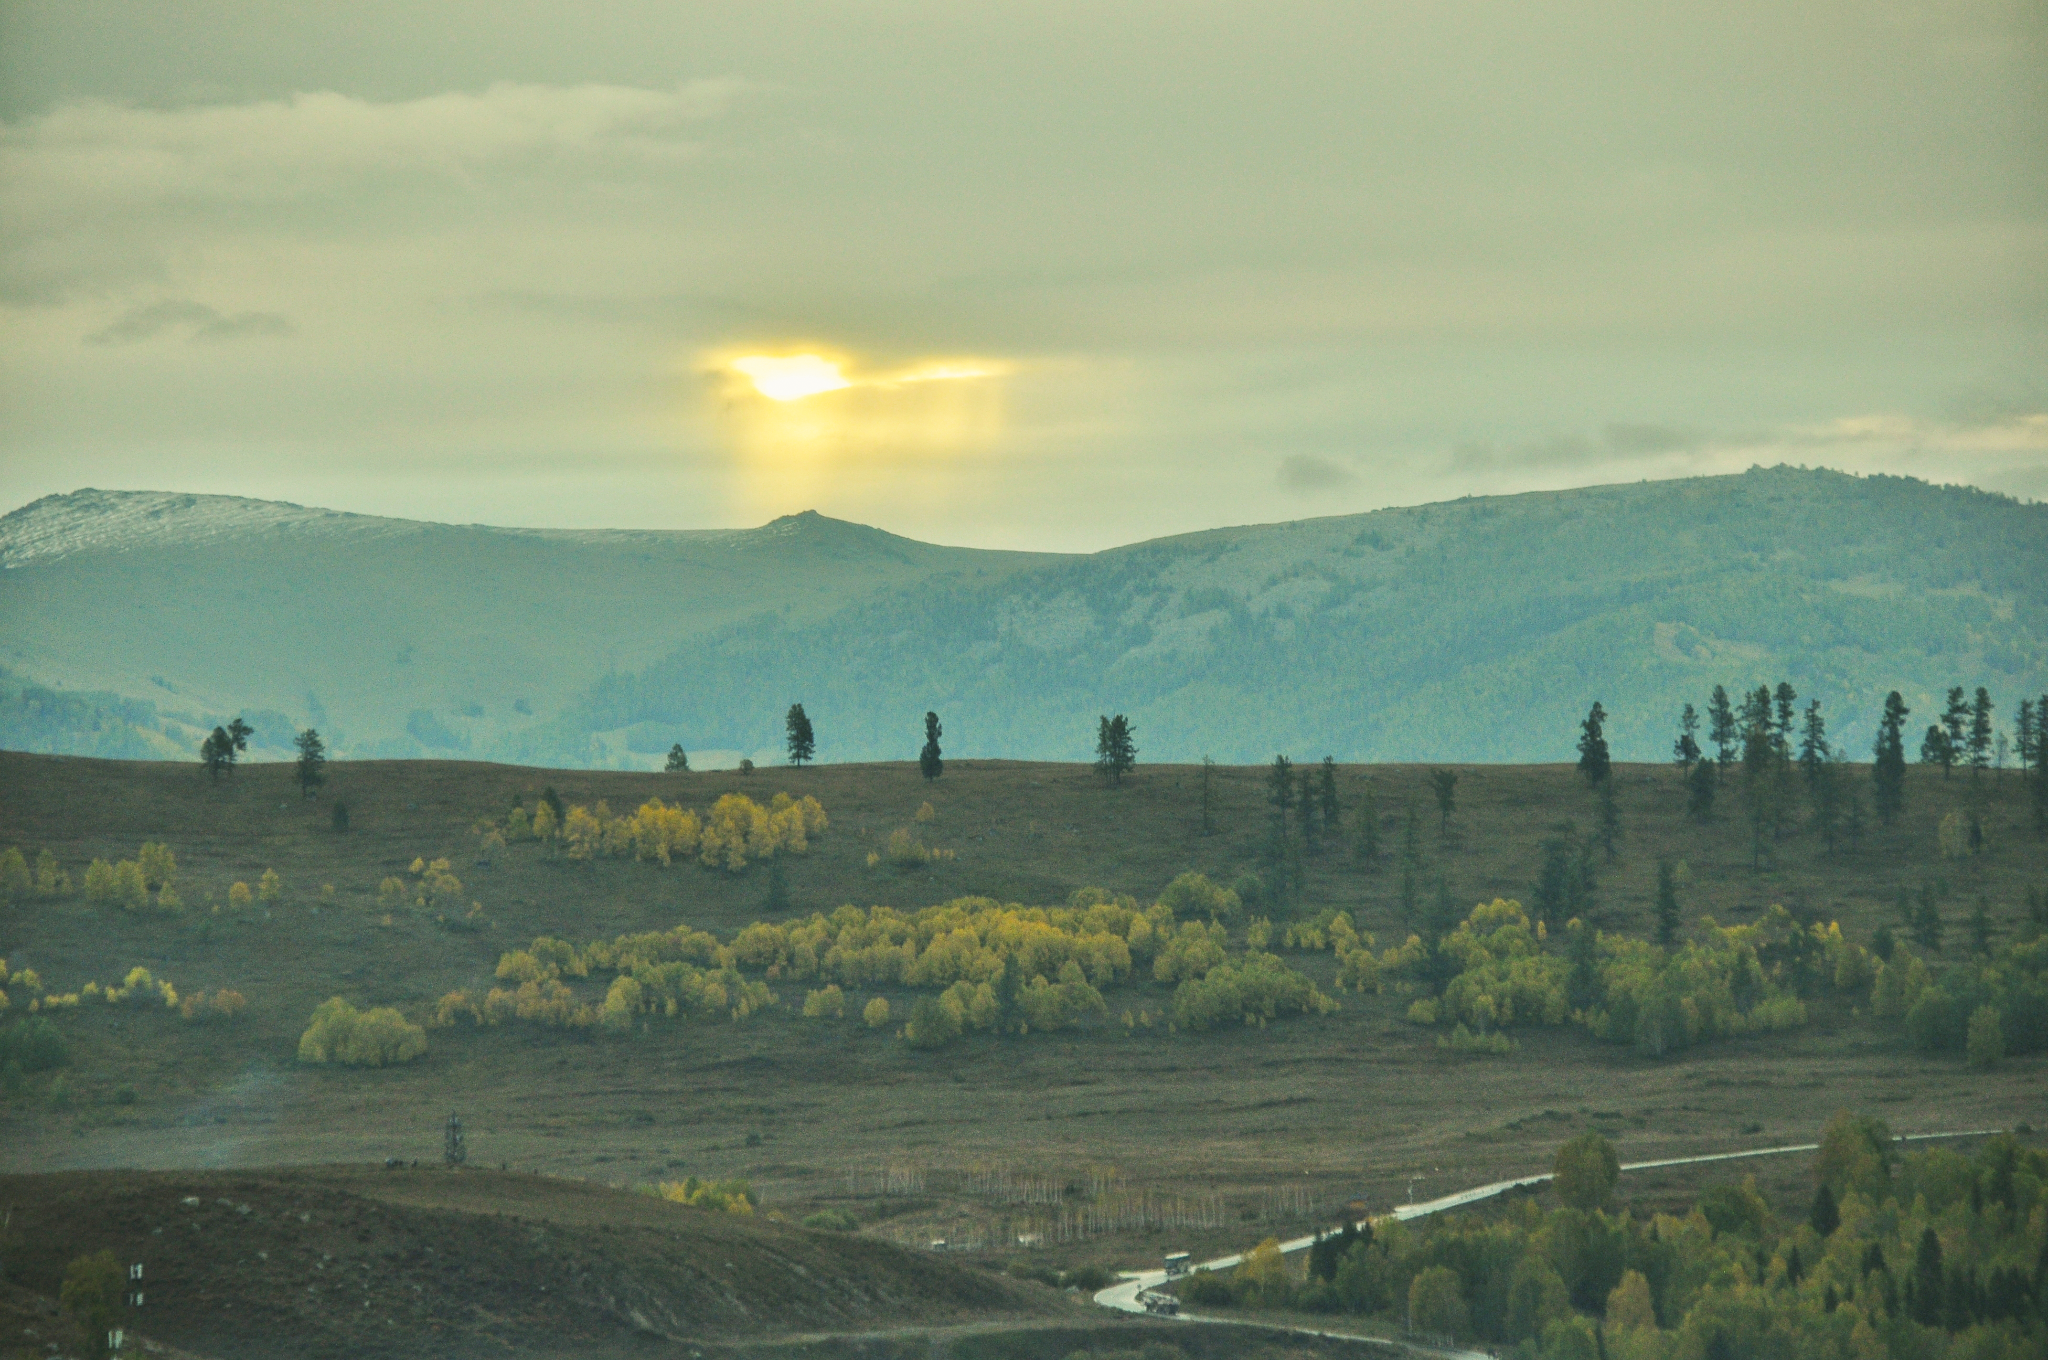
404	1263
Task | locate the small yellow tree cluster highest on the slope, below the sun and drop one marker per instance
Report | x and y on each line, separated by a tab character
730	837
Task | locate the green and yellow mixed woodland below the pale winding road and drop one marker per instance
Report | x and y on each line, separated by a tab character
1928	1257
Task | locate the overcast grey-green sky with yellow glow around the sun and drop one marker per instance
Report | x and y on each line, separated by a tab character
1089	273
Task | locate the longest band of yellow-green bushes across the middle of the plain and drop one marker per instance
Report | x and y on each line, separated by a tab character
980	964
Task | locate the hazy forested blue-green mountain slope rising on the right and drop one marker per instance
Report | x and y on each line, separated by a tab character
1476	630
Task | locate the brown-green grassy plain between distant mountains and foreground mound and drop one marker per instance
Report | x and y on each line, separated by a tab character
1242	1130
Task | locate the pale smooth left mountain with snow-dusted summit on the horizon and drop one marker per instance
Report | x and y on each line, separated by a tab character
153	618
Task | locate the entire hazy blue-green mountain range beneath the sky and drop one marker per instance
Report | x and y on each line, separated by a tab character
1471	630
